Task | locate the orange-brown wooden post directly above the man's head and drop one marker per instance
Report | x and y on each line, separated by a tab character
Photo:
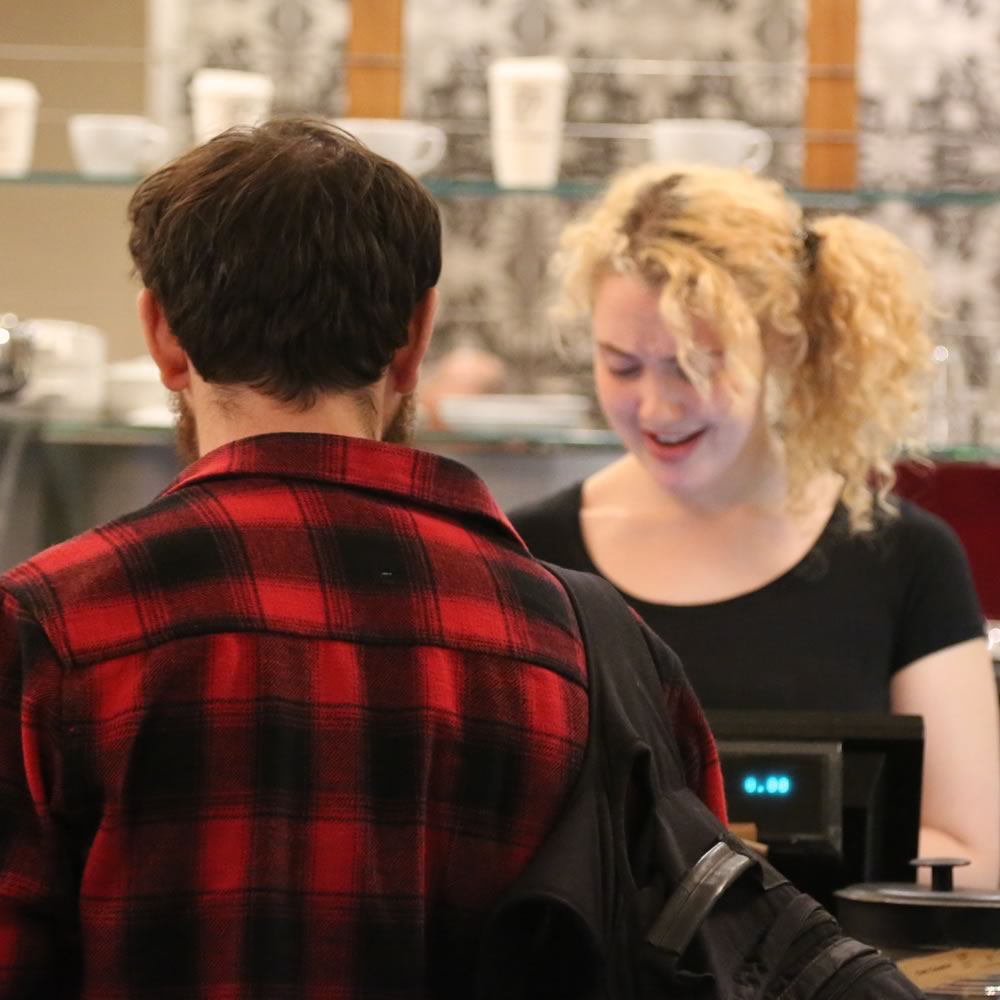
375	59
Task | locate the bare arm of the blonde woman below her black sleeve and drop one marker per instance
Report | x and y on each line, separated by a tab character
955	691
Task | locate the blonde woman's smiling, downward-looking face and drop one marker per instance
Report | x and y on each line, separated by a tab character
693	445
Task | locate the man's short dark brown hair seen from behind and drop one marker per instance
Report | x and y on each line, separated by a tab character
287	257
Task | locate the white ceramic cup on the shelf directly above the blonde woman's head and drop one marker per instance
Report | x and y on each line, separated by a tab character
721	142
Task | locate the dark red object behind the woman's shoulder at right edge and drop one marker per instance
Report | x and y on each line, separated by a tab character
967	496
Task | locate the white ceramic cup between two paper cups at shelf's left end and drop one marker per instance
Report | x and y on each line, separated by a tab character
115	145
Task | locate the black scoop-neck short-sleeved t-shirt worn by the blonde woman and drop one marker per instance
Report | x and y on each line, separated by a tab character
826	635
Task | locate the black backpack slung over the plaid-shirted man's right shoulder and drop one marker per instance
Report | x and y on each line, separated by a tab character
639	891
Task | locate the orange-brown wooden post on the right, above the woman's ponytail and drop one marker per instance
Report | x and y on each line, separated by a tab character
831	95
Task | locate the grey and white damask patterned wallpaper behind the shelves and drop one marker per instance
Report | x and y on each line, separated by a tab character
930	118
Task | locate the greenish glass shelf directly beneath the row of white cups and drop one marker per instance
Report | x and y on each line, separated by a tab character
444	187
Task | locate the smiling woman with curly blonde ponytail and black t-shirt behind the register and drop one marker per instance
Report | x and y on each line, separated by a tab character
761	372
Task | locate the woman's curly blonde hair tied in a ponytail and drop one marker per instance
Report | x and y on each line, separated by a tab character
840	306
